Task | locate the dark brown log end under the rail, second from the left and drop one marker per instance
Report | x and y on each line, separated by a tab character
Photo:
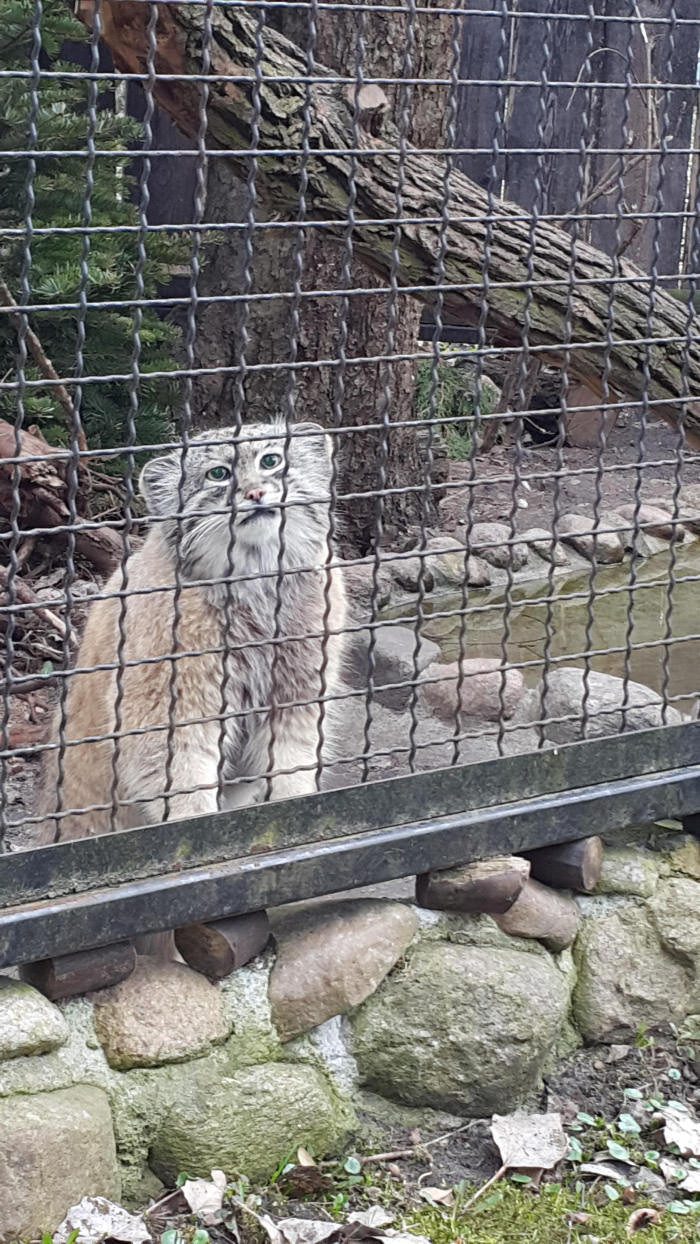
219	947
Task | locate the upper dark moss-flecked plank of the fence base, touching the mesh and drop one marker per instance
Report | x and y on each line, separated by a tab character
69	868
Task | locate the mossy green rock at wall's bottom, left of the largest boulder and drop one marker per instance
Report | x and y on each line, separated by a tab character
248	1121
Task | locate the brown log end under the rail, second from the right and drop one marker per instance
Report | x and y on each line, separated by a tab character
486	886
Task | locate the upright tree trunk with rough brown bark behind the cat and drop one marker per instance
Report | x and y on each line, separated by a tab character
362	392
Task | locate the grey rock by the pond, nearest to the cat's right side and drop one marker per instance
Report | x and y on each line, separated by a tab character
397	660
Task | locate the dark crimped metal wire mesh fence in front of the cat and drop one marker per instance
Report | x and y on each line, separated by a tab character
350	395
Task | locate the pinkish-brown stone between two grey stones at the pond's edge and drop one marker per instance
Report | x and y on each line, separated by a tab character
484	692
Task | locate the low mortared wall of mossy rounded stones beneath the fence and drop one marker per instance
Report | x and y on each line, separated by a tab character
120	1092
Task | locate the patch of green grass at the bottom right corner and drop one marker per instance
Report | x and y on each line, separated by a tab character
513	1215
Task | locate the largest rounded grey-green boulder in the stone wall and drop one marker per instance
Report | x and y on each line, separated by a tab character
462	1028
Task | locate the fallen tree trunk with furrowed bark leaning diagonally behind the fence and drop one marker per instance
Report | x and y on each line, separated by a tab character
568	278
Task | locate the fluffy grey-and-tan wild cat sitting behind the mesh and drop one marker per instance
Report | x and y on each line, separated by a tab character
233	684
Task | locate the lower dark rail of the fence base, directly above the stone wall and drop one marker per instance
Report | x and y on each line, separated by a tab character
96	919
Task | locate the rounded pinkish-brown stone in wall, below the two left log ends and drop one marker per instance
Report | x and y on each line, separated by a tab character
162	1013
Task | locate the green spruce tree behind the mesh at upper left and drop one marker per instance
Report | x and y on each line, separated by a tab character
59	261
